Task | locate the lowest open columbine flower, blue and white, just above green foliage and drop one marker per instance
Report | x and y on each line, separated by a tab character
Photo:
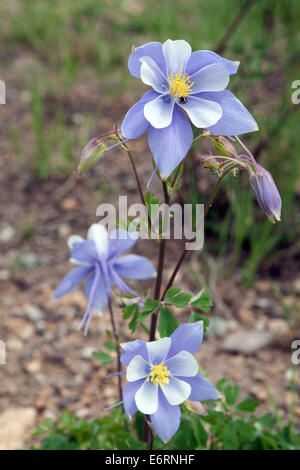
163	374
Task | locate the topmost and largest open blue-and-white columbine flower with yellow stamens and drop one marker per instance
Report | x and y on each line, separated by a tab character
182	80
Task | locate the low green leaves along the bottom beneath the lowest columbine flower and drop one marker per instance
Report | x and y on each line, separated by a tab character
229	424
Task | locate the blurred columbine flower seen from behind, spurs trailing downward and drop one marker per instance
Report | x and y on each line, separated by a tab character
98	261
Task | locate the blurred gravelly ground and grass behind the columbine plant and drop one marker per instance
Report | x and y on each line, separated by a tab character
65	69
